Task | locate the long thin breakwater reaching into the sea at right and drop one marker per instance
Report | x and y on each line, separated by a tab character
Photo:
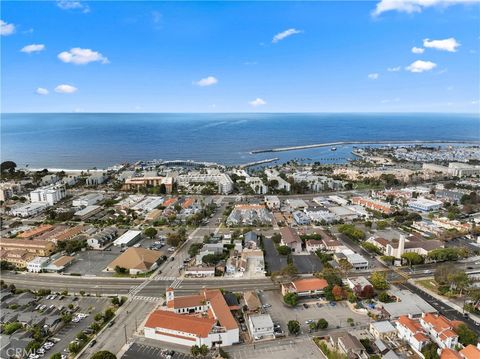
342	143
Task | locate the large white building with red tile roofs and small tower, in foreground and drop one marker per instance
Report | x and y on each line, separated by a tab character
202	319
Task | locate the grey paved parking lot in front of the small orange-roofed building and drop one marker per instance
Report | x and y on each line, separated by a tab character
336	316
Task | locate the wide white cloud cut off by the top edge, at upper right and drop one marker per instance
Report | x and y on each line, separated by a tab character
412	6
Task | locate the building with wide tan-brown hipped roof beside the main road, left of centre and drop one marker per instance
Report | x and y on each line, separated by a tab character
136	260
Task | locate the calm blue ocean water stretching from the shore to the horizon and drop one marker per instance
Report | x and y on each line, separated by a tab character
78	141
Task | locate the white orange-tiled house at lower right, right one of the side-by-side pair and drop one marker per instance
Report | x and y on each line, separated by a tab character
440	329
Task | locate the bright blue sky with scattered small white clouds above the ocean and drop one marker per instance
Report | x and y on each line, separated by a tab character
338	56
